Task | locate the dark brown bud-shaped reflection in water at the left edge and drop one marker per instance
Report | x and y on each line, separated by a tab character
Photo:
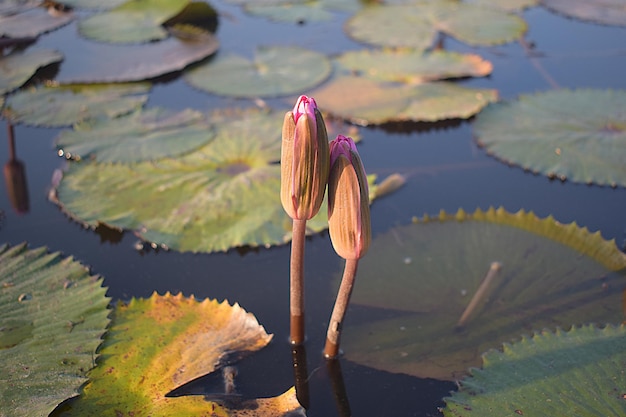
15	177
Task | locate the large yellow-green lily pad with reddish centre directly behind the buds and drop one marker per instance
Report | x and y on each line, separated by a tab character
222	195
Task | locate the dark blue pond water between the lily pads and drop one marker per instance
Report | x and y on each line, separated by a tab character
444	167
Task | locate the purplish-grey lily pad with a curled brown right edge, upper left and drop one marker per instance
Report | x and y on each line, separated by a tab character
106	63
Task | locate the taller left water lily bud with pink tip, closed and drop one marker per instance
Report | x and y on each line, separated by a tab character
304	160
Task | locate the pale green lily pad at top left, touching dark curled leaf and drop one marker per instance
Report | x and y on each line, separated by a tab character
131	22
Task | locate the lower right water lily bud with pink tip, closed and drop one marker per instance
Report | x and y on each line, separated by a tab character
348	200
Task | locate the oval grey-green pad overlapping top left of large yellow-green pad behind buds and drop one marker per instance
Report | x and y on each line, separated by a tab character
141	136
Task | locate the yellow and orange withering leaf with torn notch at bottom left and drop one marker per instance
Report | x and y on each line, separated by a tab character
155	345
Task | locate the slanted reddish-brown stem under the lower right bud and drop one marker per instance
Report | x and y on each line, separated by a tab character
331	350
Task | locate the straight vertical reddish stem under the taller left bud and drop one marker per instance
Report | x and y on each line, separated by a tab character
296	295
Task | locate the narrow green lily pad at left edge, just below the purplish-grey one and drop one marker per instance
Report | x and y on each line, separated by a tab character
65	105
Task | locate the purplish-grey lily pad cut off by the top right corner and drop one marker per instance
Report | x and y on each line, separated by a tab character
607	12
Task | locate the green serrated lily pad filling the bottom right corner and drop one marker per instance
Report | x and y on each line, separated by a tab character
575	373
